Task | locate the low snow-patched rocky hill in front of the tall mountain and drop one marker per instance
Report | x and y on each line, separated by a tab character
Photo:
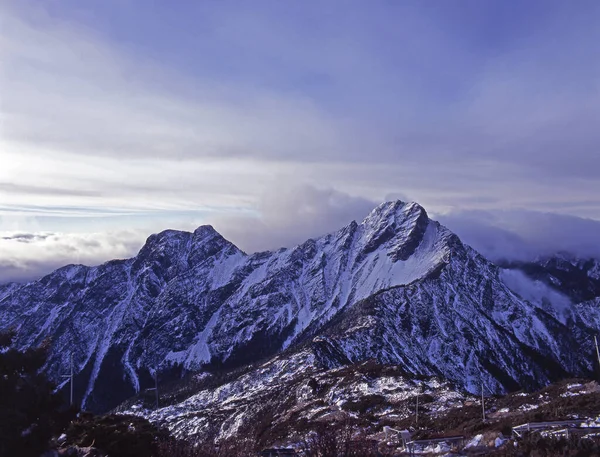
290	394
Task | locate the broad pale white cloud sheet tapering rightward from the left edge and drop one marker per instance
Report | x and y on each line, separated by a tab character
85	123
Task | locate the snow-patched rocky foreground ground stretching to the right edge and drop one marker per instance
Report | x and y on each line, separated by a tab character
284	400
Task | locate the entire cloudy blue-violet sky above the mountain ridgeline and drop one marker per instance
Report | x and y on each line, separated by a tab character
278	121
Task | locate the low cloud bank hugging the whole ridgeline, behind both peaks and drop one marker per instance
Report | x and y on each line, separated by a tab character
286	216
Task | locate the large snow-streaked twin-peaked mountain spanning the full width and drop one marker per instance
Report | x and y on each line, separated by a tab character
398	288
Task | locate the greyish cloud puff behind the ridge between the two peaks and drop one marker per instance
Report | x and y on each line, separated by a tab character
288	216
